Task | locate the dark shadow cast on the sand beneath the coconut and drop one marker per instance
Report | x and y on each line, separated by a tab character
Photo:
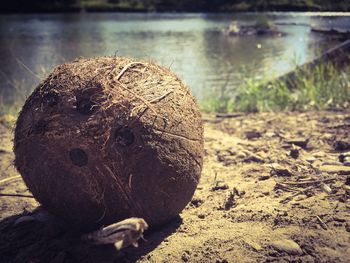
26	240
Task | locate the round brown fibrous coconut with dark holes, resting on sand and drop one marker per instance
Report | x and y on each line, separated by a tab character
104	139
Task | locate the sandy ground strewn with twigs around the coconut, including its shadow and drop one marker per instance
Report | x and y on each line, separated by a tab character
274	188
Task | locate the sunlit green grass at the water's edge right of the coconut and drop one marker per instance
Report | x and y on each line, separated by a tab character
324	87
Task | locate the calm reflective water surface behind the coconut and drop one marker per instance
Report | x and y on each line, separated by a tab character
192	45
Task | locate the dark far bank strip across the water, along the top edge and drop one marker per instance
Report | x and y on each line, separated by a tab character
17	6
